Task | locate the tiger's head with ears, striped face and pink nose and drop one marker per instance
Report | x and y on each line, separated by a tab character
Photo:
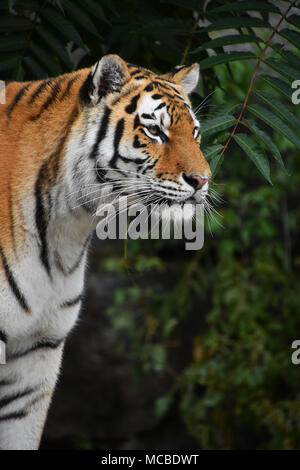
140	135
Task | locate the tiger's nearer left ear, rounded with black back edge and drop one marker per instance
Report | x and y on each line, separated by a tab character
108	75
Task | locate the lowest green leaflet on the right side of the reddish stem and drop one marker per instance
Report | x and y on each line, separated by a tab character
255	153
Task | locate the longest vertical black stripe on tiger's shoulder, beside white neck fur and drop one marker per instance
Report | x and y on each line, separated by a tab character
41	218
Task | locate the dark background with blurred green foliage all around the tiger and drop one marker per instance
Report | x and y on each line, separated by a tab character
180	349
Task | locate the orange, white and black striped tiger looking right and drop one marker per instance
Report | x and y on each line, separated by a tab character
108	129
